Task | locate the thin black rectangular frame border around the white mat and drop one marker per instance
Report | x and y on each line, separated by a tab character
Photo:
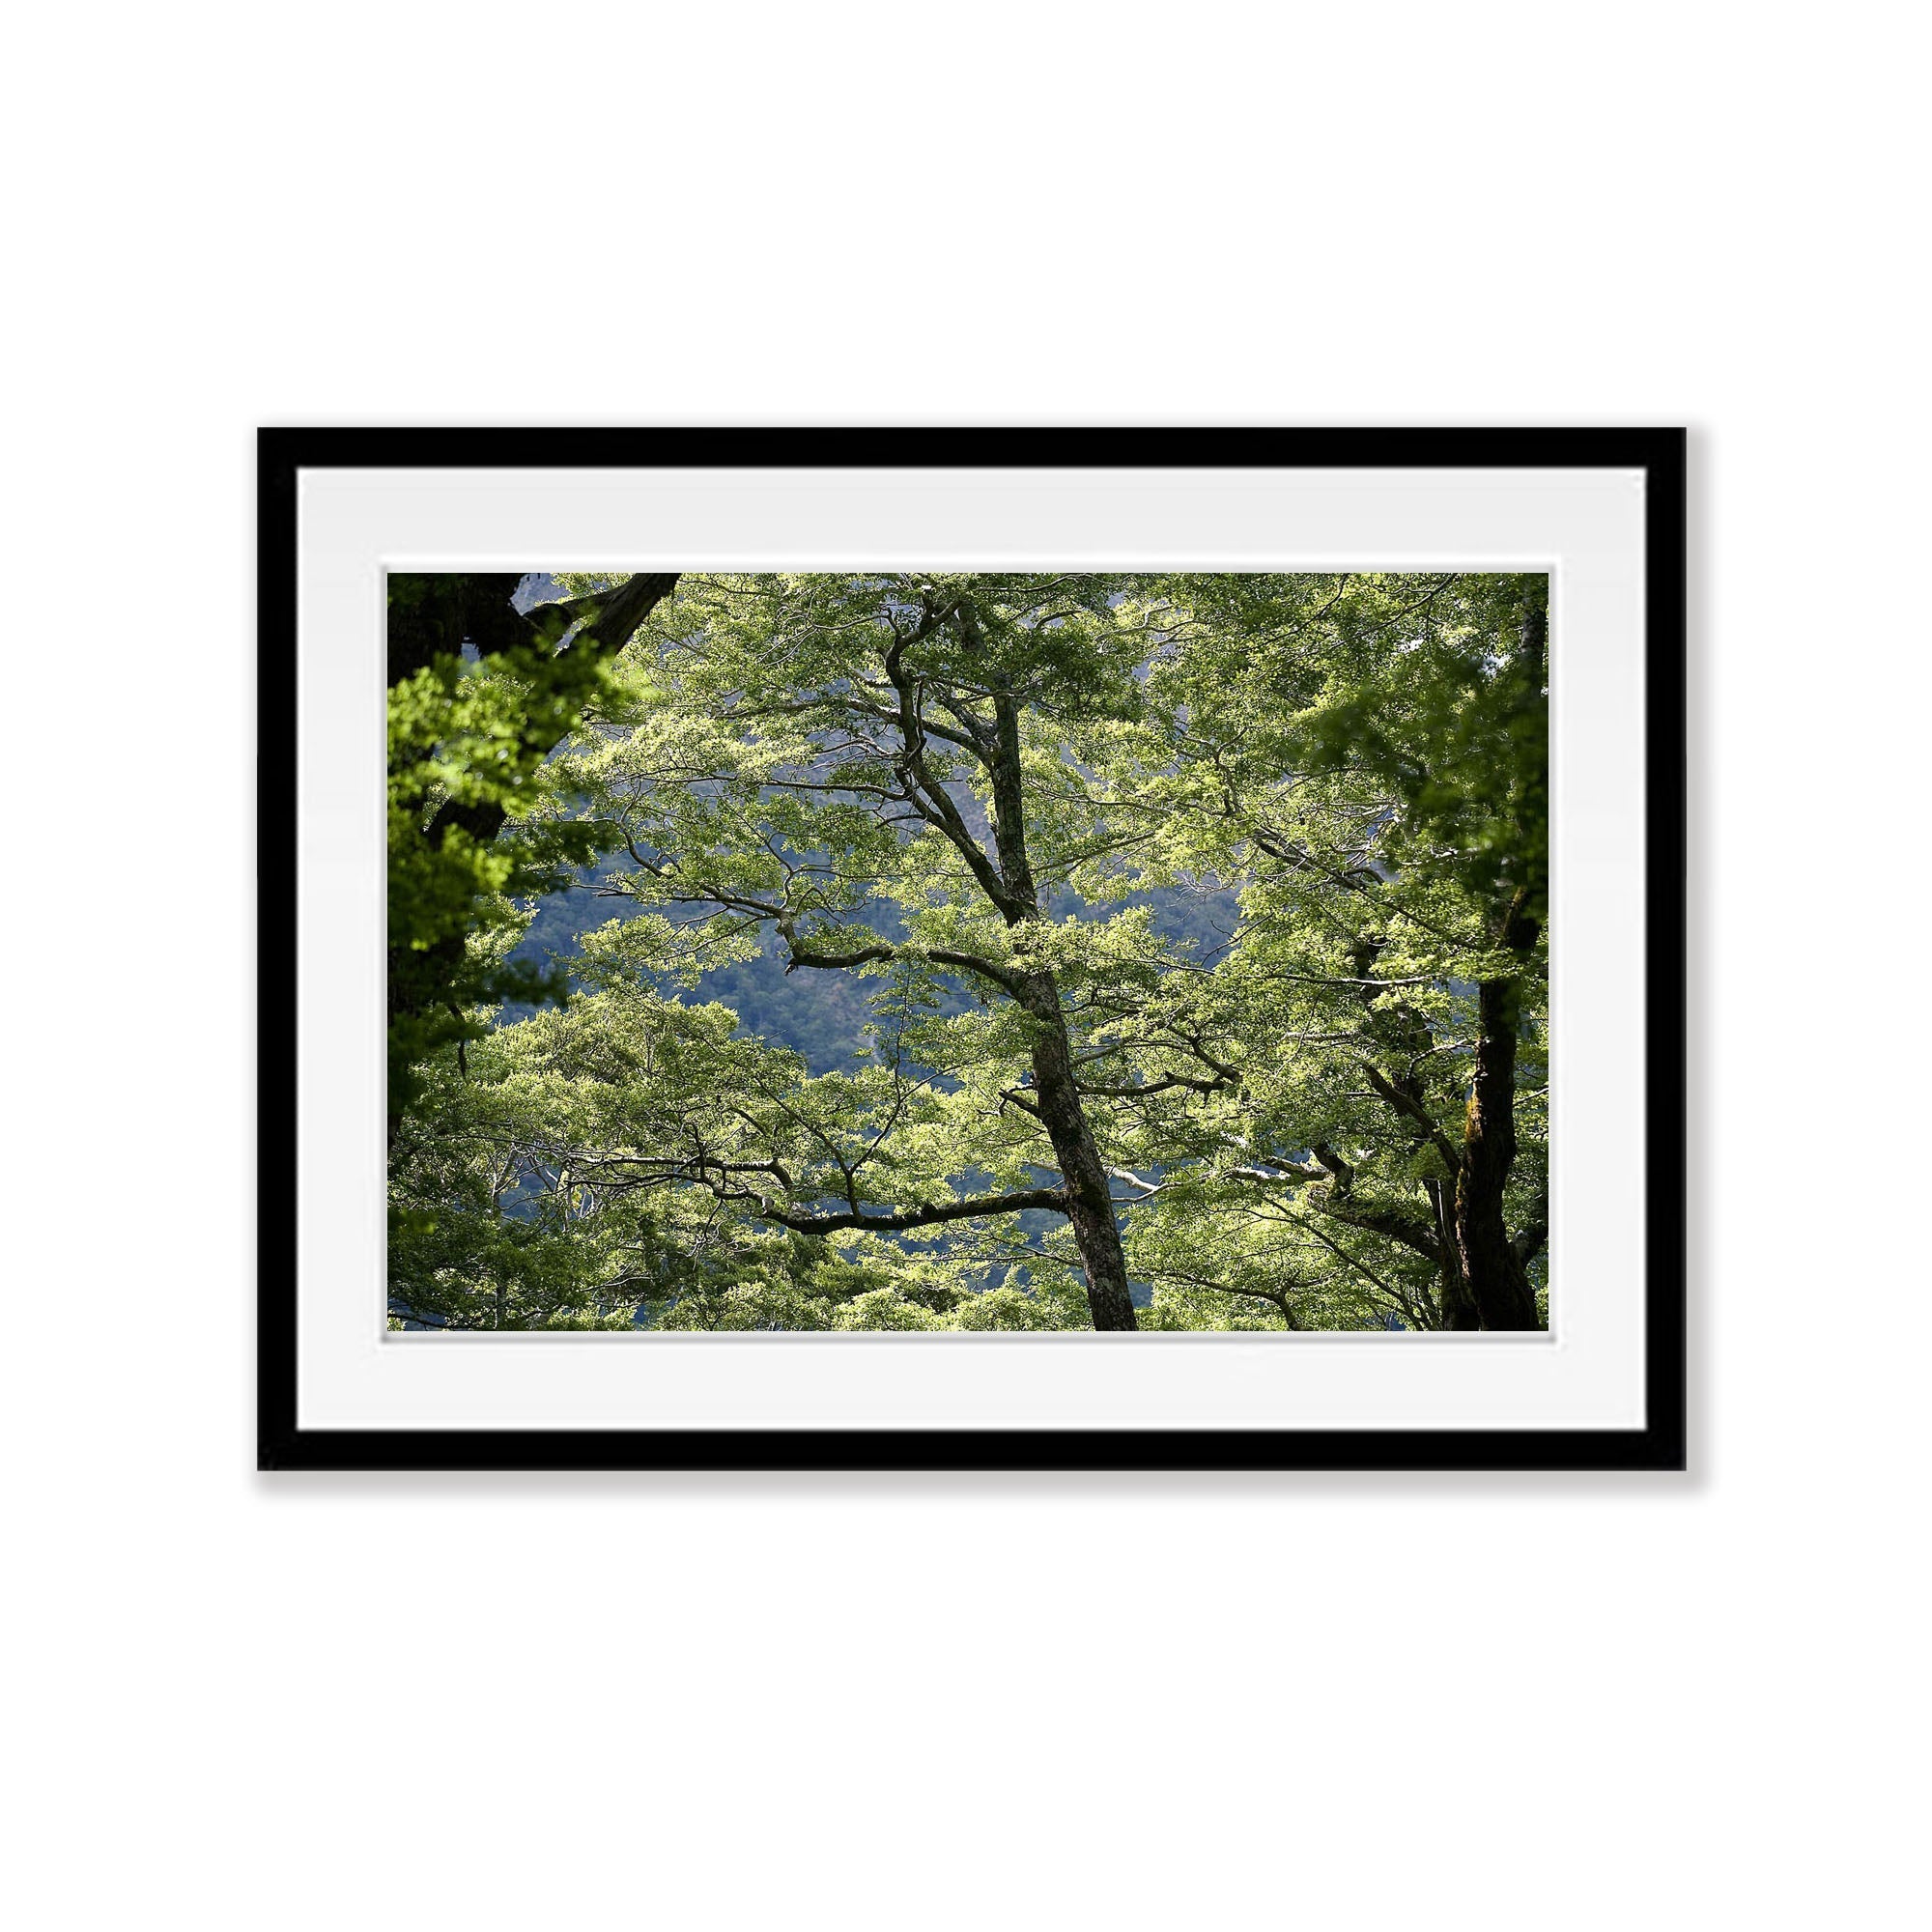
1662	1440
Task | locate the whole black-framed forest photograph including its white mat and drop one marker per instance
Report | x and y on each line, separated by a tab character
973	950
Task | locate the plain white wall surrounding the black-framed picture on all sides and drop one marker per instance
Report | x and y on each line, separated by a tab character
971	1703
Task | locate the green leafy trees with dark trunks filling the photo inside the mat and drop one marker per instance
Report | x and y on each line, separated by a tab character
1195	924
